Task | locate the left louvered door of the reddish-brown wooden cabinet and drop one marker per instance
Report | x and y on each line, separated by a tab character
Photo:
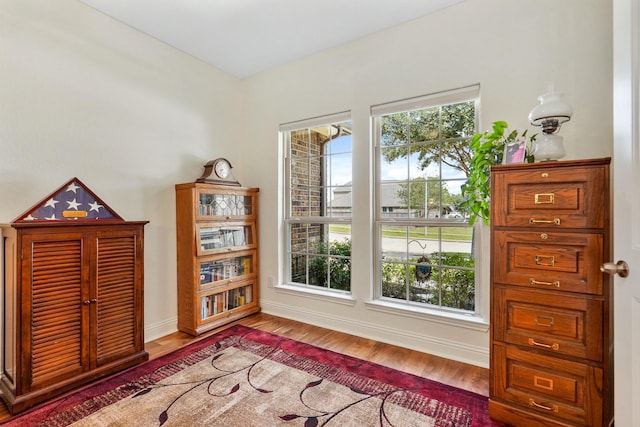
54	347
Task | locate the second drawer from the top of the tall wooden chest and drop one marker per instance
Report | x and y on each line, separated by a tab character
555	261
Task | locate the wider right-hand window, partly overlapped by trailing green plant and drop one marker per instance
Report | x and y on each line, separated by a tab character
425	251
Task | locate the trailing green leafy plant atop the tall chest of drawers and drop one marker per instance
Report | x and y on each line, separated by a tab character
488	150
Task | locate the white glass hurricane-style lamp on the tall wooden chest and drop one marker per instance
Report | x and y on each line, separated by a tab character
550	114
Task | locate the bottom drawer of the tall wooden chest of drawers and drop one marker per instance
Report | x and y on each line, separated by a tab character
547	386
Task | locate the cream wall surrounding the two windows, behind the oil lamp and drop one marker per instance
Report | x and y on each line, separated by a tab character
512	48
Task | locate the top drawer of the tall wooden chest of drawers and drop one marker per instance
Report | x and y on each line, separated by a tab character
546	197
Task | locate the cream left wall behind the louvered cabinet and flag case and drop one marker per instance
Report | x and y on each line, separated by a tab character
83	95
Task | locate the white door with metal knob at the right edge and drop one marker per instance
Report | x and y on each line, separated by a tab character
626	210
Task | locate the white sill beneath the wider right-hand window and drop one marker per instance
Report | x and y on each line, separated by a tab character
468	321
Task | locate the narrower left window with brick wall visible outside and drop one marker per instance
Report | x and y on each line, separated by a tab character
318	204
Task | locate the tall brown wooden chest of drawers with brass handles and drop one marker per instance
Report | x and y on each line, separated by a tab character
551	306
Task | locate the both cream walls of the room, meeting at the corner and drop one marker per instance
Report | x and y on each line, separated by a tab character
83	95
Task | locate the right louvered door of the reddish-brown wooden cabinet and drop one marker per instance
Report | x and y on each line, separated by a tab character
118	295
